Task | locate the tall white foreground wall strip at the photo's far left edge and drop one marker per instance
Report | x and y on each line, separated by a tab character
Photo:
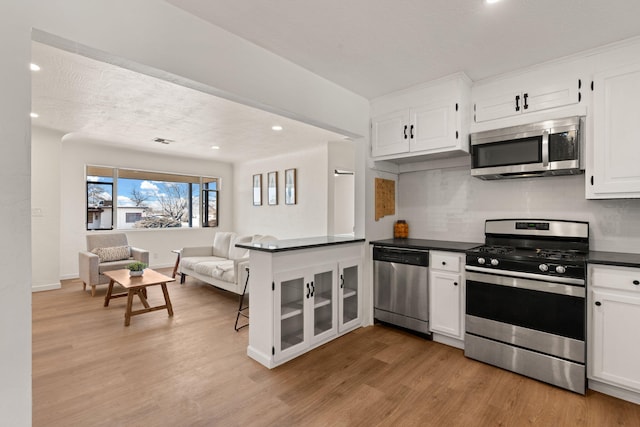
15	224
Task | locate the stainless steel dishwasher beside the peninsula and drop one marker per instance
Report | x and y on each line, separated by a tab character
400	283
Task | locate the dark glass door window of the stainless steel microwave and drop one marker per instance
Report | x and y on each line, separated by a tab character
505	153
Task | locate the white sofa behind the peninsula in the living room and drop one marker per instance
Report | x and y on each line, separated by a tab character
221	264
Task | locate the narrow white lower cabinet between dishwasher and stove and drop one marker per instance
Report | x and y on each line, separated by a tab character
446	296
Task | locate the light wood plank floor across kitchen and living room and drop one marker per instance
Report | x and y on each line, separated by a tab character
192	370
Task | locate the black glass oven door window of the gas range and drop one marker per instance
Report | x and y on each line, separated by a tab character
542	311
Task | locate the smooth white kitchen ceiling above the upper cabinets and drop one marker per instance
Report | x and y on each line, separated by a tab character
373	47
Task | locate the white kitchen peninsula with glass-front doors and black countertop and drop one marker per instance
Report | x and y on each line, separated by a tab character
303	293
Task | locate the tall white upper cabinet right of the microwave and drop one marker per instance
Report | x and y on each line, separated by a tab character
616	134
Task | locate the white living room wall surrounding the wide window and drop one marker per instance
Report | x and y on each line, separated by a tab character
78	151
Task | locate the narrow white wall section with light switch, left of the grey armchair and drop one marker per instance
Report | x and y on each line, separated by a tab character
45	208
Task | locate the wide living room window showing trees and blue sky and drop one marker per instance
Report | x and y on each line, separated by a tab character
149	199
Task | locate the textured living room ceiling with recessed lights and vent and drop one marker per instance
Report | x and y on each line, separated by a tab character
77	95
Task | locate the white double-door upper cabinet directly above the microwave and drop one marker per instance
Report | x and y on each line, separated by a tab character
542	88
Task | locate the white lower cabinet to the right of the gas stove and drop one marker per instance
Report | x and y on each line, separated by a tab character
614	335
